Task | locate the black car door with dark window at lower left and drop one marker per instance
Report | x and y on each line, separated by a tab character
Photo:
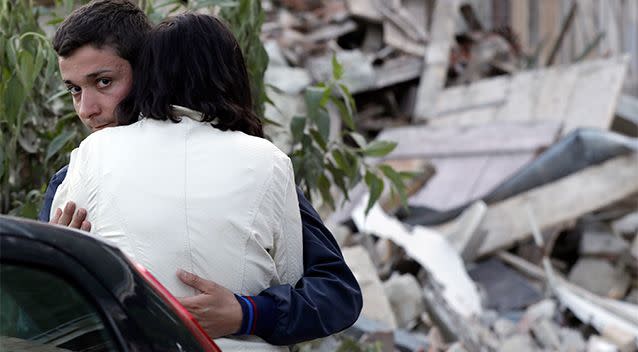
49	302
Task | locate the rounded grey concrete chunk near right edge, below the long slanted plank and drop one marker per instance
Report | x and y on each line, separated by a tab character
600	277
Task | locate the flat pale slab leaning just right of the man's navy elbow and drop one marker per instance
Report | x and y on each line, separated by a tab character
376	305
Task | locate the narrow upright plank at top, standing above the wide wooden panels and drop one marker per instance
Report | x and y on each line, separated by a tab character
436	58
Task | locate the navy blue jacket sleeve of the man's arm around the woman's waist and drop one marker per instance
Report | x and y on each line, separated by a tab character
326	300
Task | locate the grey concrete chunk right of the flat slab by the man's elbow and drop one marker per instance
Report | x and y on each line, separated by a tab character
406	299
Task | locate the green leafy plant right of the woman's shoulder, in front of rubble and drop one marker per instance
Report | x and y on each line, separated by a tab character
320	162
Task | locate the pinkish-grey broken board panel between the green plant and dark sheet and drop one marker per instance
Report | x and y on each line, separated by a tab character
469	161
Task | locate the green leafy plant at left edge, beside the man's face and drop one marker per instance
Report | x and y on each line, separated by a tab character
37	123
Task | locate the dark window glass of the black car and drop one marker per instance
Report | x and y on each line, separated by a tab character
39	309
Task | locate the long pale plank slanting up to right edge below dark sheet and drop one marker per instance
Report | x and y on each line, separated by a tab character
560	201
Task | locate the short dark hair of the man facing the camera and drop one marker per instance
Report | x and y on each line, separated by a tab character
119	24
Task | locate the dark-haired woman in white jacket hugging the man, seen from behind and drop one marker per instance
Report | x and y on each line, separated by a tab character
187	181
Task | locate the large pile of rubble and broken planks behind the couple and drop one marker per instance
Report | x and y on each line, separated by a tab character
522	235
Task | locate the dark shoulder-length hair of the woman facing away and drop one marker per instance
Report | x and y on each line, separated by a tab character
192	60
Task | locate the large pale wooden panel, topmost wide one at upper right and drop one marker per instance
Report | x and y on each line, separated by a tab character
580	95
